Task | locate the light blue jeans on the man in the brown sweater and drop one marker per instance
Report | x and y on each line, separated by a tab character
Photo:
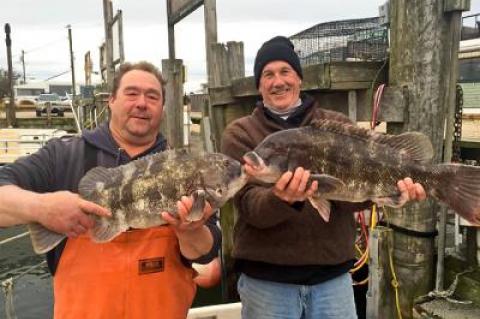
332	299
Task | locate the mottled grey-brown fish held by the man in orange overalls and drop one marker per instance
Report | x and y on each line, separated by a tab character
136	193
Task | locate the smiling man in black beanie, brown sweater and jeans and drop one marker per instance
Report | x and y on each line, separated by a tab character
292	263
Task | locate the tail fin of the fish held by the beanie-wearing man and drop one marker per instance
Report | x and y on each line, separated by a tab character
459	187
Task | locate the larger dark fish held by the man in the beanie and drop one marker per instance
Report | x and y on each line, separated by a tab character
353	164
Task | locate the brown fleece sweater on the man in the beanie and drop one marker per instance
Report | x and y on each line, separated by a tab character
271	231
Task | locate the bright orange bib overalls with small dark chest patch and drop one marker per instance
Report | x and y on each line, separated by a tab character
137	275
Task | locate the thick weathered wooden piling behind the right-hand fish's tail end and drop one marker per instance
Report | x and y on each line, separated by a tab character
418	30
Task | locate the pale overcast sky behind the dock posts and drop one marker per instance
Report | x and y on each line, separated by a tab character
39	28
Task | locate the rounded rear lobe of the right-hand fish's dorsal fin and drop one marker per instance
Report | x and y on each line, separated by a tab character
413	145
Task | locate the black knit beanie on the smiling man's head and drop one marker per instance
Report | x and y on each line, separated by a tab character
277	48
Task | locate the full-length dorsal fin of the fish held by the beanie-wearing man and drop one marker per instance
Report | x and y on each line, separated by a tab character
413	145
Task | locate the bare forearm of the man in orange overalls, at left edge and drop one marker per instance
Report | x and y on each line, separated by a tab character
17	206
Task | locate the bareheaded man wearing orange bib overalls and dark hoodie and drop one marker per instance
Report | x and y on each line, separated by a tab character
142	273
